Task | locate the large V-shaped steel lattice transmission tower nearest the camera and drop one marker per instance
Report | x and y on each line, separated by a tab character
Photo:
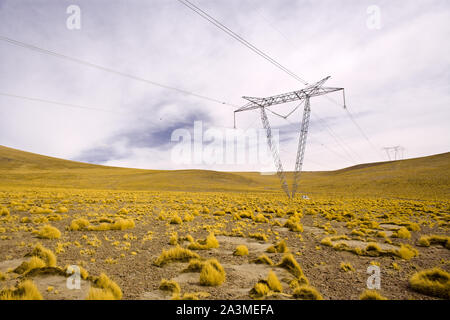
304	96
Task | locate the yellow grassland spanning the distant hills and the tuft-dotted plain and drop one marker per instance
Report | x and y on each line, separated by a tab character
195	219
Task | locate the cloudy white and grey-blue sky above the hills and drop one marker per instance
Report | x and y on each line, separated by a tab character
392	58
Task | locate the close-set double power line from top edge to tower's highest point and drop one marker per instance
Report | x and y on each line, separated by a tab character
237	37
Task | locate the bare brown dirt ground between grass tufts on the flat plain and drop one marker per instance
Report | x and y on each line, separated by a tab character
128	256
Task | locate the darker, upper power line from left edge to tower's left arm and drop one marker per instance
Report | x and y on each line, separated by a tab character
106	69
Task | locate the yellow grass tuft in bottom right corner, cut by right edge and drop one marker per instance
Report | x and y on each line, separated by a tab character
433	282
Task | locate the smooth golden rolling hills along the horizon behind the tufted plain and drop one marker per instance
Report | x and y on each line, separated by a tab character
425	177
